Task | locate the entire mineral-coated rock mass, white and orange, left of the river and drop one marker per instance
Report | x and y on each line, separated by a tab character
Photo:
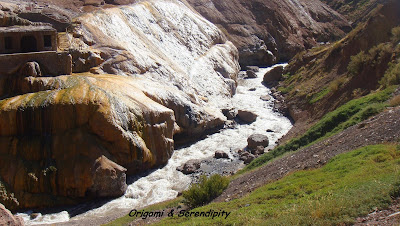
172	71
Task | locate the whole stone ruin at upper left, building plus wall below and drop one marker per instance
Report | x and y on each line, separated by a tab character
20	45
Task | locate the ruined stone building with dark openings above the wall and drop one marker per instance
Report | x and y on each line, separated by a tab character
23	39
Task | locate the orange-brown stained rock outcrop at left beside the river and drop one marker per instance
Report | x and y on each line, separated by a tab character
52	137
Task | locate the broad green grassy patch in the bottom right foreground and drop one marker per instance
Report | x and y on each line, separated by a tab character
350	185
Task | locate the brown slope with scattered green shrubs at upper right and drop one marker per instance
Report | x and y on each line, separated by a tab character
321	79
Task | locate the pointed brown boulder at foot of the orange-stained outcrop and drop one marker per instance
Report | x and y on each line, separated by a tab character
109	178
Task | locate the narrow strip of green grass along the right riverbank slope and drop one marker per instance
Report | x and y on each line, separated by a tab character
349	114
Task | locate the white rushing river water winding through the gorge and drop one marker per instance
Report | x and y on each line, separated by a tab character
165	183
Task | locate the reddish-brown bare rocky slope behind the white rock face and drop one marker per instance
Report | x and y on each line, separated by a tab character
265	31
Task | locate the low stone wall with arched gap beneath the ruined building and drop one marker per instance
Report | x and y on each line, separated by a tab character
51	62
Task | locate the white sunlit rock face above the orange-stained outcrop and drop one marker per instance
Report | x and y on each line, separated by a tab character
167	42
